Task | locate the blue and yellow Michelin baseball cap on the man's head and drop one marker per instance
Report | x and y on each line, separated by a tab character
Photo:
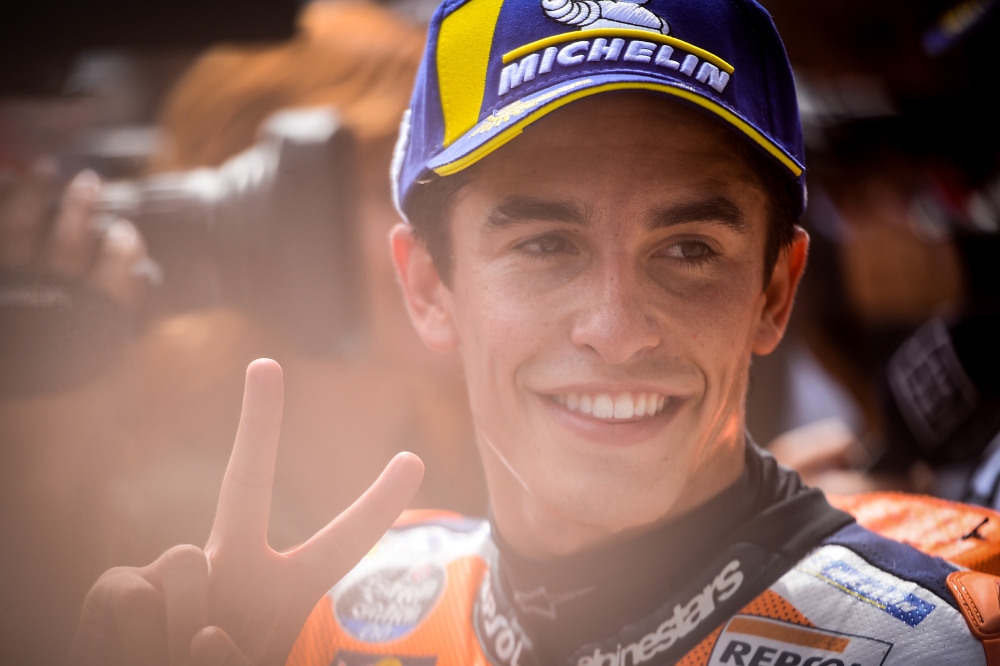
493	67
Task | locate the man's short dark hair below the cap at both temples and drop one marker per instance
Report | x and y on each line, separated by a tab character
428	206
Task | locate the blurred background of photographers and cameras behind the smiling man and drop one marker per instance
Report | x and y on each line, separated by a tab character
185	187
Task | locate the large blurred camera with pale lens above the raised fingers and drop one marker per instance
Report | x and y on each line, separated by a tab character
272	231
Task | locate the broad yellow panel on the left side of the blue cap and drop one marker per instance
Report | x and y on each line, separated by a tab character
463	55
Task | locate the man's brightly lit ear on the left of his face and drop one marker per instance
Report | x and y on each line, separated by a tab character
427	298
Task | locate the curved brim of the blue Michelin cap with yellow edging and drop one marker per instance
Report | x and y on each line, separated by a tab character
504	124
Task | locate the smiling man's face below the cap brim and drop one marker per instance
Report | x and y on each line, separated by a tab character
606	295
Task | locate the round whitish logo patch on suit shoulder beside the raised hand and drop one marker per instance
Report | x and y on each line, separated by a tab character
389	603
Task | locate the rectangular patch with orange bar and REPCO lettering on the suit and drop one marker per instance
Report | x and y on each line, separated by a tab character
748	640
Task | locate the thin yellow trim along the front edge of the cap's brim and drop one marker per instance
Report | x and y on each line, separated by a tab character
727	115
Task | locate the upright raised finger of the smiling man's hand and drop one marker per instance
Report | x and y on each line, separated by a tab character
245	498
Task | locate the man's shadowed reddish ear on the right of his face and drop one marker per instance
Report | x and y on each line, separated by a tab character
780	293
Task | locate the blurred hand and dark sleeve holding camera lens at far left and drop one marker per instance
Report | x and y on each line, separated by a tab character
72	281
